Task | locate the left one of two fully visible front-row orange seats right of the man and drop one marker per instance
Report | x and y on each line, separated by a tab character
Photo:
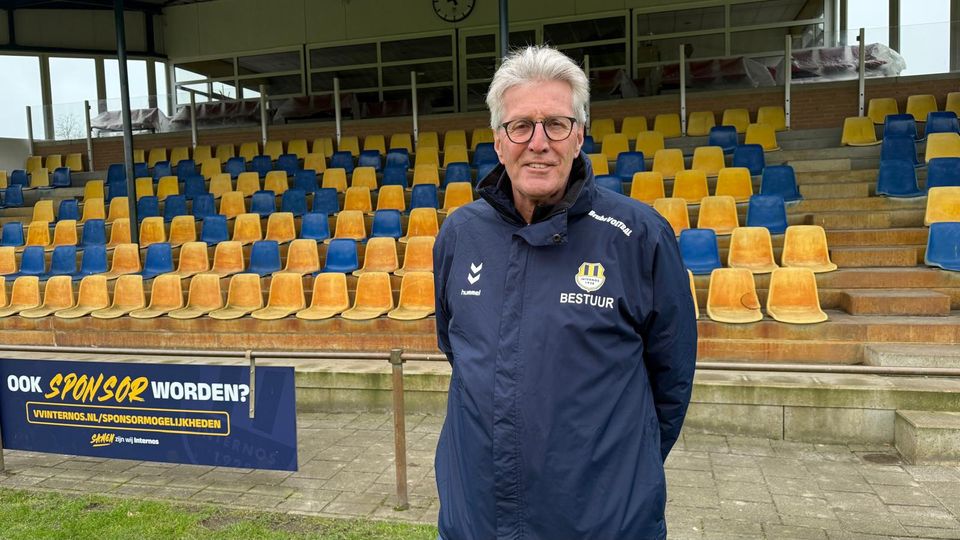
732	297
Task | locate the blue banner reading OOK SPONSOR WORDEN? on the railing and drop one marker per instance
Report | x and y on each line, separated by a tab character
174	413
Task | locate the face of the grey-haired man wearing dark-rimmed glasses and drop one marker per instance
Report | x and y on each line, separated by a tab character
539	168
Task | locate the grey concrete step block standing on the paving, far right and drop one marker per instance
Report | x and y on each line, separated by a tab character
928	436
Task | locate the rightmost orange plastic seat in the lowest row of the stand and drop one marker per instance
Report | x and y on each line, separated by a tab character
792	296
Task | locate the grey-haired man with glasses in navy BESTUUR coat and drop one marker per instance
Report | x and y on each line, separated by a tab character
565	312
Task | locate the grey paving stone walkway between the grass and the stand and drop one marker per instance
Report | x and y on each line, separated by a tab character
718	486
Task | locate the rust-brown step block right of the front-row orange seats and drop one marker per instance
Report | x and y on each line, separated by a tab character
896	302
